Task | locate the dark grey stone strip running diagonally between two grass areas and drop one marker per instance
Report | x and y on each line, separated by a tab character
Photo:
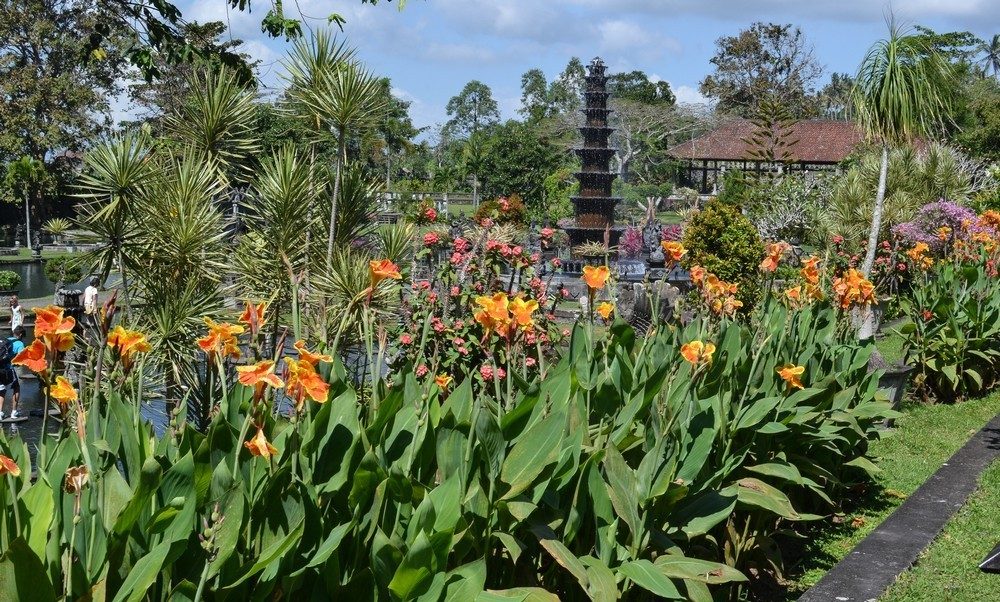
876	562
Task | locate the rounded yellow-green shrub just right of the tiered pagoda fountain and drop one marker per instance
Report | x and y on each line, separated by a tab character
722	240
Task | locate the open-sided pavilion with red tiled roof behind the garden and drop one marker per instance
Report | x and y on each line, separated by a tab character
814	145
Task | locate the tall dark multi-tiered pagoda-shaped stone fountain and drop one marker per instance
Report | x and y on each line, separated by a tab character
594	208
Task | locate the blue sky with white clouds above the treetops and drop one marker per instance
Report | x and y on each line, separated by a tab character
431	48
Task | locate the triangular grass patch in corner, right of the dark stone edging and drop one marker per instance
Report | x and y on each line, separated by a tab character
948	569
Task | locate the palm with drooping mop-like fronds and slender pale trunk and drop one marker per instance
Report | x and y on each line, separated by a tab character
901	92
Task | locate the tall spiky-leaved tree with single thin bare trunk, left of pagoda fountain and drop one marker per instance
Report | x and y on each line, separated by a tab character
338	94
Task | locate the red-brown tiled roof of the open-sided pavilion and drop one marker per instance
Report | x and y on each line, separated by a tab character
819	141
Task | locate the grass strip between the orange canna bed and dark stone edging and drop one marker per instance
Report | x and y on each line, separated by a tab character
907	455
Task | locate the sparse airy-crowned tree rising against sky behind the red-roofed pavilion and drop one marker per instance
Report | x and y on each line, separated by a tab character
764	60
